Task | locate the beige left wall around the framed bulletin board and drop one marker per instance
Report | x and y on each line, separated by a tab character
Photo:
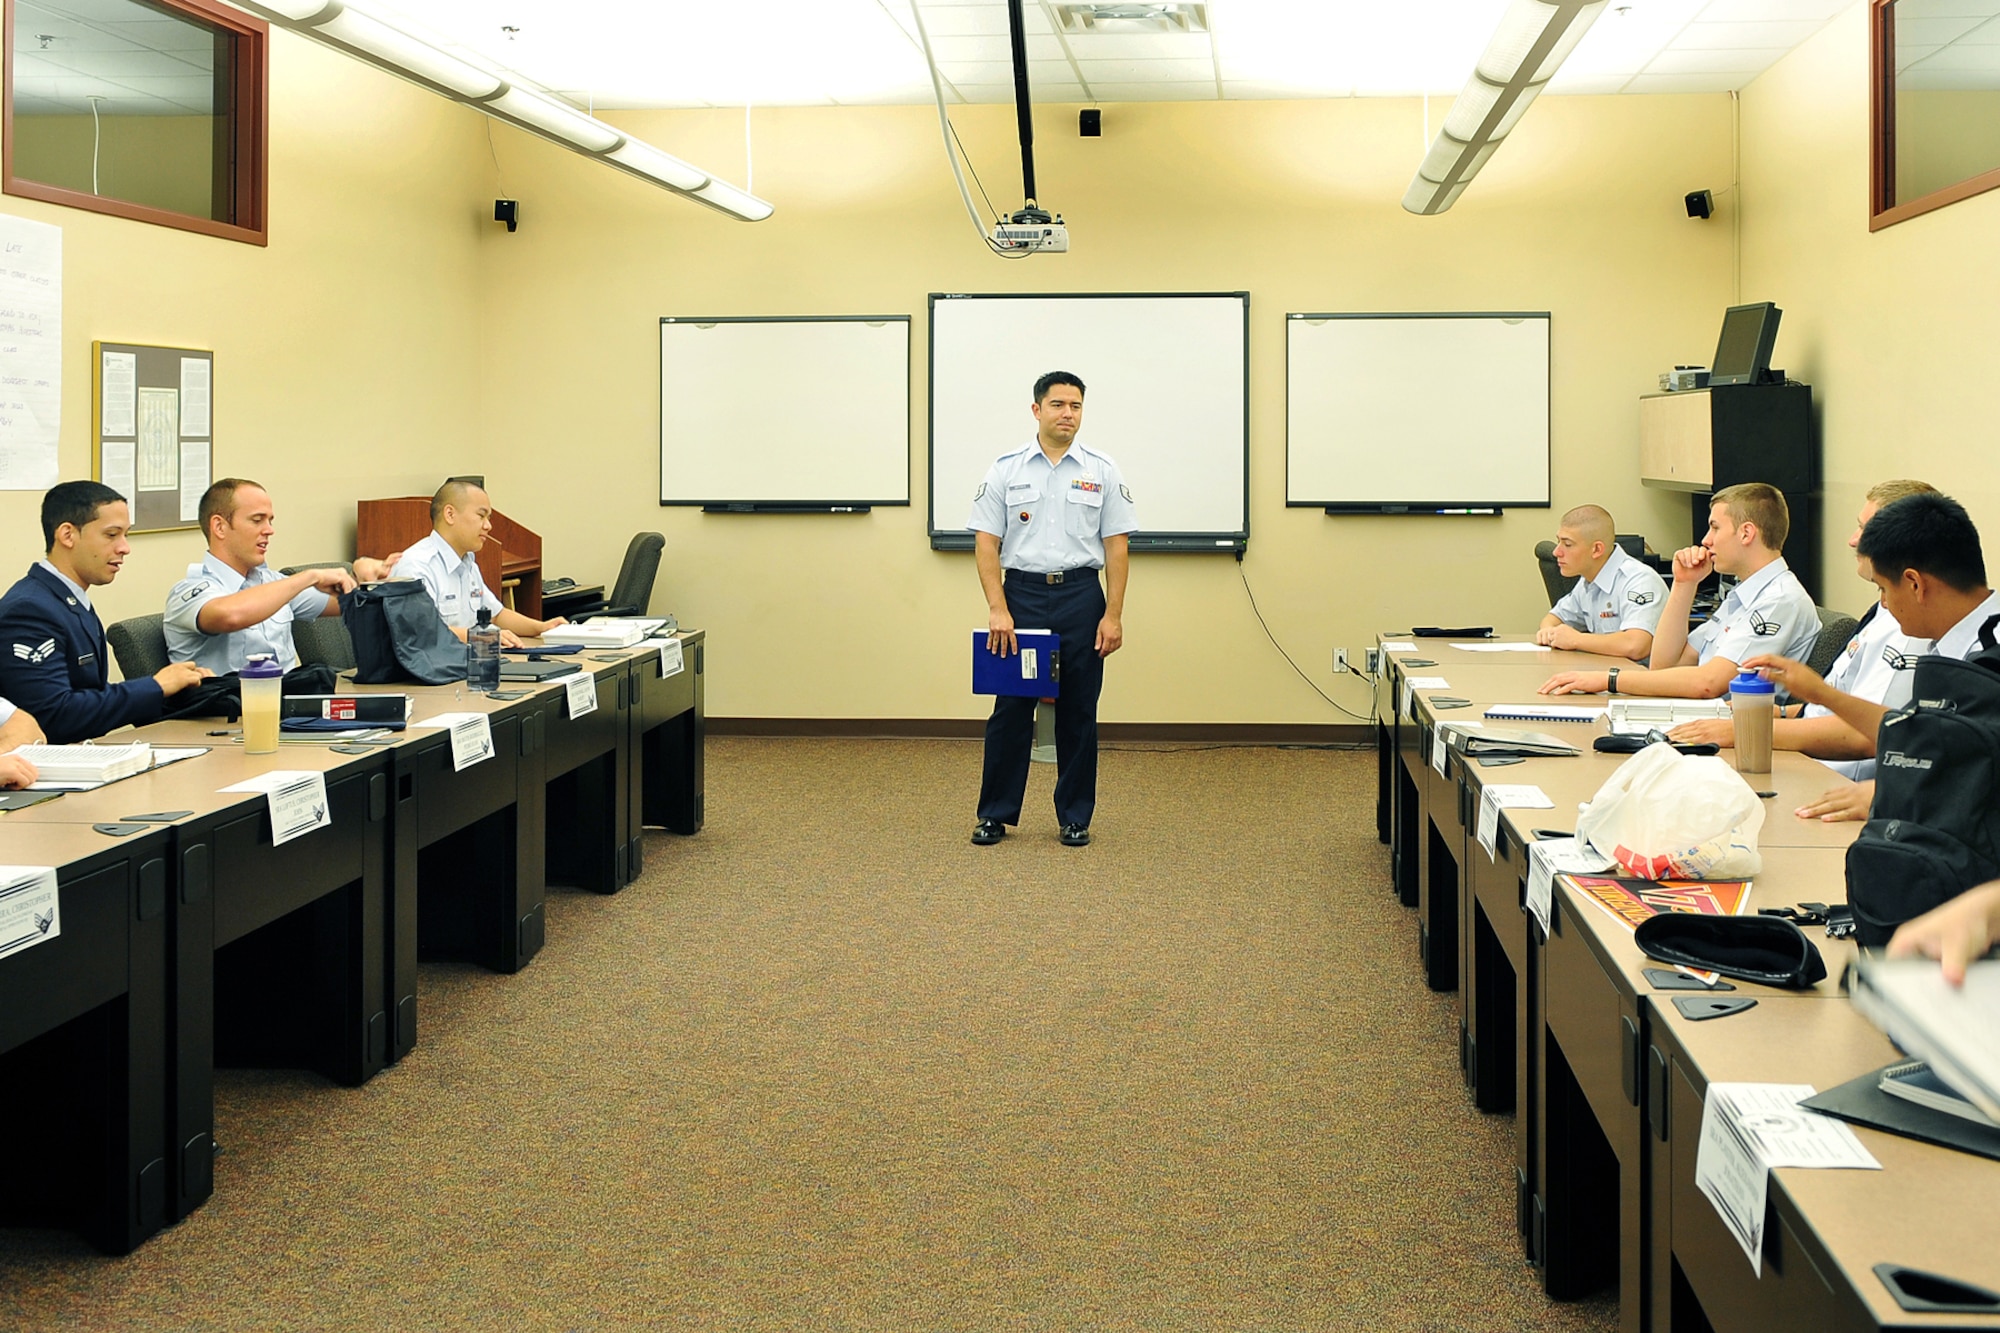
345	351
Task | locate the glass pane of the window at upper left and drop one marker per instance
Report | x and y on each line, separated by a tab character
127	101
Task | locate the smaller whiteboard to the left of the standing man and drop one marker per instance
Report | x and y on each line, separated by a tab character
785	413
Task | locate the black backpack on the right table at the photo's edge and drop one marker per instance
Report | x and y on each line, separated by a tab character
1935	826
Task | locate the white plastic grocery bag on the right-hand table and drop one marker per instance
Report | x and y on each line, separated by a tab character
1671	816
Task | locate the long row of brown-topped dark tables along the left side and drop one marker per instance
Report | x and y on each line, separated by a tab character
305	954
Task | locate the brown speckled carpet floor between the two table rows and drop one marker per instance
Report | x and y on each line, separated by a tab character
831	1068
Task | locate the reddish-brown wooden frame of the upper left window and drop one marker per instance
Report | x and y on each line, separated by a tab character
245	169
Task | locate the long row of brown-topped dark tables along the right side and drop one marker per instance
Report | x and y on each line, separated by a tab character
1569	1032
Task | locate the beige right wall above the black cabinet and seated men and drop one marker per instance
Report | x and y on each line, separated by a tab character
1893	329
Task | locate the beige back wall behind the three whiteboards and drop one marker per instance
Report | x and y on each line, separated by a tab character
1293	201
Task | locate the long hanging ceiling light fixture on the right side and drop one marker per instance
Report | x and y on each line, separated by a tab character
1533	41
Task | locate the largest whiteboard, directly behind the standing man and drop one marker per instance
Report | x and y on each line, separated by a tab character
1165	397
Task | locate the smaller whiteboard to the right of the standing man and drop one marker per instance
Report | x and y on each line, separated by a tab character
1417	411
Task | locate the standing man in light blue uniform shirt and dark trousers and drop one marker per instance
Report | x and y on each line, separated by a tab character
1047	519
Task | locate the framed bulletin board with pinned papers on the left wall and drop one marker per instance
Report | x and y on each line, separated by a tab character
153	429
